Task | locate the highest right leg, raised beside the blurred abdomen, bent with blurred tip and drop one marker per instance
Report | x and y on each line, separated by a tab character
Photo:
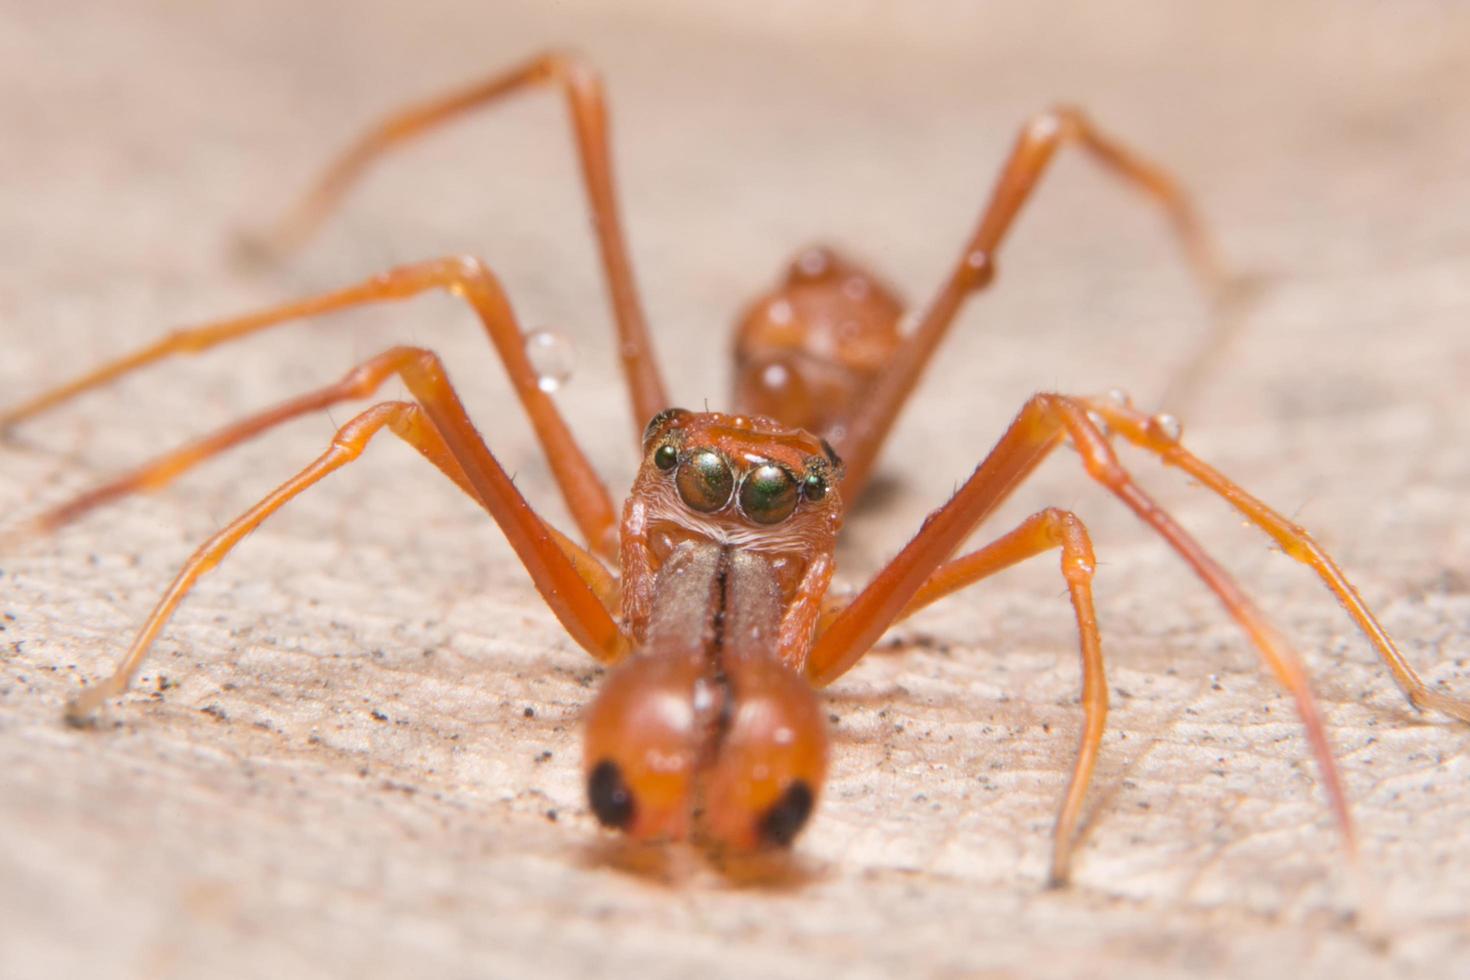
1036	148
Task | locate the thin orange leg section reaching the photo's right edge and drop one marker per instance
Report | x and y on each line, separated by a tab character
1164	442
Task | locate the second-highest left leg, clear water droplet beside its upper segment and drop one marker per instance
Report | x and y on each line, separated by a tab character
467	278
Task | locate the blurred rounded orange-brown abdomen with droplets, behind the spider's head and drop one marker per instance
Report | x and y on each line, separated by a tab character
808	350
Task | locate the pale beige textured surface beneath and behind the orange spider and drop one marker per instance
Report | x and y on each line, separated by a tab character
365	757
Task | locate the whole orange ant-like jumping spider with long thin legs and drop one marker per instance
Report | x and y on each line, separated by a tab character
708	597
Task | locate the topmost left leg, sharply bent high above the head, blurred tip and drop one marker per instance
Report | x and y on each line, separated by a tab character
584	95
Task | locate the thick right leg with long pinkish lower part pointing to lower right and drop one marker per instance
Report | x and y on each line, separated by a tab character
1044	422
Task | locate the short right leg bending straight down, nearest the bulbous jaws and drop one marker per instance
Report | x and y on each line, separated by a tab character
1039	534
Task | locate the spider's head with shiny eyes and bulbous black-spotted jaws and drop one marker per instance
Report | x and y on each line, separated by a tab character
709	728
